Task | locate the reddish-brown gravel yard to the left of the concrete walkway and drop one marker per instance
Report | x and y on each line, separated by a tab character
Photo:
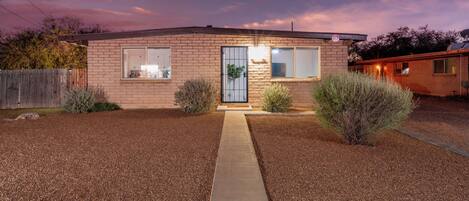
121	155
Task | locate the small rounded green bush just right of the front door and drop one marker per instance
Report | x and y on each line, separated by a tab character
276	98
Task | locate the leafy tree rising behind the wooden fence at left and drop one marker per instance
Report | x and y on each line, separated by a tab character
42	49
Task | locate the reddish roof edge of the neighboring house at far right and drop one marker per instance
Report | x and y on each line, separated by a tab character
413	57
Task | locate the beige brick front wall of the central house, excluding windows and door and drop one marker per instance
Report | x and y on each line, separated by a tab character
198	56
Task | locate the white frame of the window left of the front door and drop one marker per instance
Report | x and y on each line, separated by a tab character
122	77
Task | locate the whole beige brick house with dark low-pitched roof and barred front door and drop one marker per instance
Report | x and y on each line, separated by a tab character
143	69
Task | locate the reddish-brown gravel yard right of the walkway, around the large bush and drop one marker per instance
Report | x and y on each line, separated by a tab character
302	161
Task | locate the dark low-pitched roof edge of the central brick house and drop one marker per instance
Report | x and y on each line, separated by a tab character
212	30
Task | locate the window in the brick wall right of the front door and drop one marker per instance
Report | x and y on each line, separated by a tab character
296	62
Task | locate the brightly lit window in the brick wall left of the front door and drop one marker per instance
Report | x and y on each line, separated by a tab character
147	63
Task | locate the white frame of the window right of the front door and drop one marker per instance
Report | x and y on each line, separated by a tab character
294	62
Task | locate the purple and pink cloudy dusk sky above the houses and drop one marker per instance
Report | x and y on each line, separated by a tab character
370	17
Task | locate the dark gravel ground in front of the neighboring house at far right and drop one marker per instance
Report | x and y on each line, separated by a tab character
442	120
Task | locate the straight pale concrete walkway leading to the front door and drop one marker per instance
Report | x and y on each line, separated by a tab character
237	173
